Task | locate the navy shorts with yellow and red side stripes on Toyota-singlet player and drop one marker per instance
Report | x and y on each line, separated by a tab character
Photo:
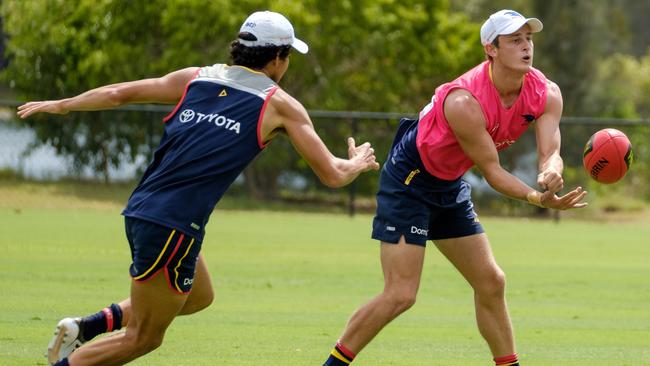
156	248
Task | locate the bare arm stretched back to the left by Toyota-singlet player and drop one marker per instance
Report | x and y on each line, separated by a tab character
166	90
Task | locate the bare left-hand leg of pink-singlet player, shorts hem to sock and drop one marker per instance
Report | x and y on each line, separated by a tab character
402	267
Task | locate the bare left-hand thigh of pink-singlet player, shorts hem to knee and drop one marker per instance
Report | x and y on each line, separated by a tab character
402	264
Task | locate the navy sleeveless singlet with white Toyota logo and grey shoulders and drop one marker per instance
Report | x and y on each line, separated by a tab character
209	138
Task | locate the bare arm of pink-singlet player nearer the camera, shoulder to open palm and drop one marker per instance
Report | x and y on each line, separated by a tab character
468	124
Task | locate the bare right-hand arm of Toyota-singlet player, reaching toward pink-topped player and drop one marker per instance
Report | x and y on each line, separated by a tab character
286	113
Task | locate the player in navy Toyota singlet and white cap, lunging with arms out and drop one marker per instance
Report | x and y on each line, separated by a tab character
225	115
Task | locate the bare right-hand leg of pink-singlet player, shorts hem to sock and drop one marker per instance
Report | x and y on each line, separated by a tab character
472	256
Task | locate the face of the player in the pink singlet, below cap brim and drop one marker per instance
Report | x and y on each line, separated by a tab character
515	50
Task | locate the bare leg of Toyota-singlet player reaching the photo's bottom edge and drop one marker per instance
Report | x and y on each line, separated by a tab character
153	307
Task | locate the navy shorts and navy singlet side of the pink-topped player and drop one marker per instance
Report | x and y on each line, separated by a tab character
417	205
